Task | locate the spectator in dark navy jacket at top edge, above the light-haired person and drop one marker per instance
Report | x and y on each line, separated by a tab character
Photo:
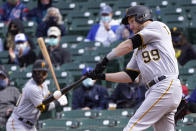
37	13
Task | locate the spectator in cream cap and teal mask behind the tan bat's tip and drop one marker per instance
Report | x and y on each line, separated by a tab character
58	55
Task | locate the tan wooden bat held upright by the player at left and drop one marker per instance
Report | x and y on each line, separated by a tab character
47	58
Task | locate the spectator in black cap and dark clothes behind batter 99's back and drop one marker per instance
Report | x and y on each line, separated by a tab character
184	50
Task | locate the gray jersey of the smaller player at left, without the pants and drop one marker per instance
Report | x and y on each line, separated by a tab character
32	96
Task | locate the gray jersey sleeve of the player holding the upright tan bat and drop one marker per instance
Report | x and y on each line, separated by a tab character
35	97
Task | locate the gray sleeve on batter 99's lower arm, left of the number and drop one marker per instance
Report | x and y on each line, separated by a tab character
132	65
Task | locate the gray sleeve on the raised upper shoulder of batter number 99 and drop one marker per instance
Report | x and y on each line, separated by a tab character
149	35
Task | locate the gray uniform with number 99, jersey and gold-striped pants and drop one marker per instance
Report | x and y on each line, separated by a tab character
155	59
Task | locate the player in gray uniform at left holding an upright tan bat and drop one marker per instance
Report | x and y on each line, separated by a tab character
29	106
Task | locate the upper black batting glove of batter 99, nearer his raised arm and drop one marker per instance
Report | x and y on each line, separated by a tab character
100	67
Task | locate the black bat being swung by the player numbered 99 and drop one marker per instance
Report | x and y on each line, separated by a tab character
51	98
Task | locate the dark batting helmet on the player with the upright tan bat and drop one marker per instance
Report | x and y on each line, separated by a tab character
40	65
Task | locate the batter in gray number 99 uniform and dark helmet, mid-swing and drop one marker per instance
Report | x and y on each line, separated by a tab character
153	59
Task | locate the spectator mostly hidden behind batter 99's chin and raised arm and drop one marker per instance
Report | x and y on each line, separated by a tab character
123	32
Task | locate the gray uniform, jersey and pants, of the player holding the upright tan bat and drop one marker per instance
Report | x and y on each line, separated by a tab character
26	114
